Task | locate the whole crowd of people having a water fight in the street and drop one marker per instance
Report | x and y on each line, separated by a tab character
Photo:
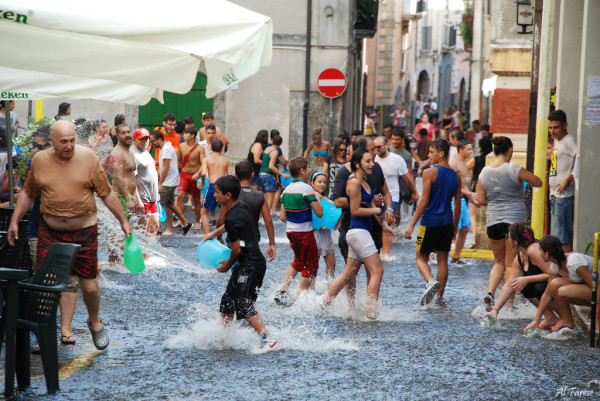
371	178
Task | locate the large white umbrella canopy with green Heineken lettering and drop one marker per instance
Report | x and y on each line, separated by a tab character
128	51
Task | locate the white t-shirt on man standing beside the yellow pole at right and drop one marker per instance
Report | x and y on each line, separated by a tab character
562	161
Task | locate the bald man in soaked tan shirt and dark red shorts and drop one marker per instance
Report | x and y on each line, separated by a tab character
67	176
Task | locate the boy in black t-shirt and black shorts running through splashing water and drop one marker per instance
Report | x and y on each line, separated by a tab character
249	264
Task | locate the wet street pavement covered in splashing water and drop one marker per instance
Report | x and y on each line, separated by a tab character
167	342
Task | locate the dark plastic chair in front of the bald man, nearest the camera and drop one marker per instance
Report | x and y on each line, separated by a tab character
39	297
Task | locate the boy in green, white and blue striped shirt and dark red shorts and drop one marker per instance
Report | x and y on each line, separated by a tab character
298	201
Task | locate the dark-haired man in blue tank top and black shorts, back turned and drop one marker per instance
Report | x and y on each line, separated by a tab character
438	226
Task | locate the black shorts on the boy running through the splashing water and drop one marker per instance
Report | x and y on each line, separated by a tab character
242	291
